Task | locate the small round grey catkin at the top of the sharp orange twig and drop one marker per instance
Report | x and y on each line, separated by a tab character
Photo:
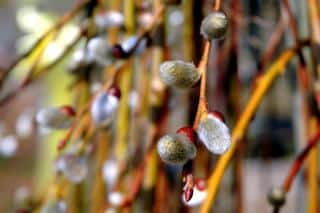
215	25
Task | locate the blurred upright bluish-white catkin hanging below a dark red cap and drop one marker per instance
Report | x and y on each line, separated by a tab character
104	108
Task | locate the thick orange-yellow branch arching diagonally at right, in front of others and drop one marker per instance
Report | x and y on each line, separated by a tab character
241	126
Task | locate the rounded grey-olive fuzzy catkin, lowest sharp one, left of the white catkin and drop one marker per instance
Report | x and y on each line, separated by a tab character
176	149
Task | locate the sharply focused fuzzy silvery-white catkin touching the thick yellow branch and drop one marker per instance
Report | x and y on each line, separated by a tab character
214	134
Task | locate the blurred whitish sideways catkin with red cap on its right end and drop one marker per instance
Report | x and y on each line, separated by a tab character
55	117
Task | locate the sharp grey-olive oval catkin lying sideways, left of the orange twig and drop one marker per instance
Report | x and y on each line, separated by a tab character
179	74
